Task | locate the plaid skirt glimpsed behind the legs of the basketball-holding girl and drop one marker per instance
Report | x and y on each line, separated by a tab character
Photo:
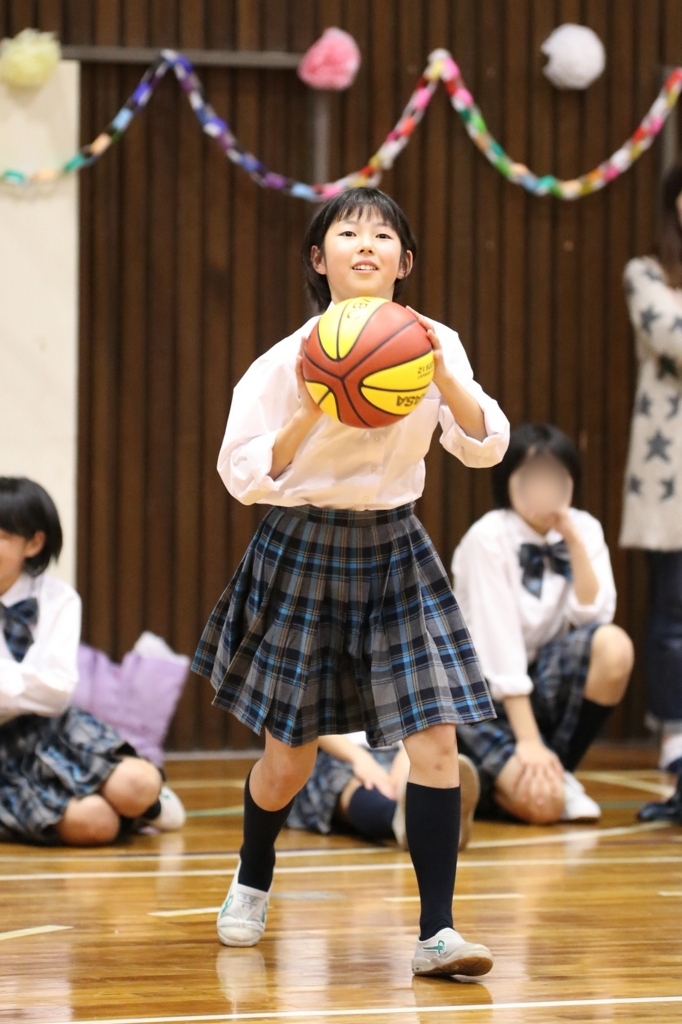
315	805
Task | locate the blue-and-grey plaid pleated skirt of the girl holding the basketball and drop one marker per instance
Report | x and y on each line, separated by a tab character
337	622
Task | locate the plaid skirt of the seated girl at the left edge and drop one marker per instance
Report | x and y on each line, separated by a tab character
46	762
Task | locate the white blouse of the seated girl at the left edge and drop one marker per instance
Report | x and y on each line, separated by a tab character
42	684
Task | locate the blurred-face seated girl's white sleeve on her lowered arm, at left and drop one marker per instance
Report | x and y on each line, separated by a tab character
485	592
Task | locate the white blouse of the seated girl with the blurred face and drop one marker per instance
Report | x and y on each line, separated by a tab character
508	624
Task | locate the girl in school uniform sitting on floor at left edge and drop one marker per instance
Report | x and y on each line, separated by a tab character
65	777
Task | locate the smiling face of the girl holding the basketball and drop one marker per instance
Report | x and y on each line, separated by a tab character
362	257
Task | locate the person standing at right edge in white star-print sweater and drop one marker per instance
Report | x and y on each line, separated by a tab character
653	510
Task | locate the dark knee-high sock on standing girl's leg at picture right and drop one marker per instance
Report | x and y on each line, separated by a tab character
433	829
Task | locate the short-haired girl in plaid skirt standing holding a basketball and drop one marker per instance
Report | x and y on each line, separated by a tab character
342	617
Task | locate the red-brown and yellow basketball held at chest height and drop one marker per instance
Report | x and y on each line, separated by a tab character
368	363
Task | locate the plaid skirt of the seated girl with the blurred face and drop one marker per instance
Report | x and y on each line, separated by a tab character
559	678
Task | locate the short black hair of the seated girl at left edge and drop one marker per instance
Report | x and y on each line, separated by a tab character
26	509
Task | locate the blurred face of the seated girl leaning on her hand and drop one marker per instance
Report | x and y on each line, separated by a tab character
540	488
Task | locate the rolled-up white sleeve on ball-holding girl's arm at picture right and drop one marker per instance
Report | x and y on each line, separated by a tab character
476	454
